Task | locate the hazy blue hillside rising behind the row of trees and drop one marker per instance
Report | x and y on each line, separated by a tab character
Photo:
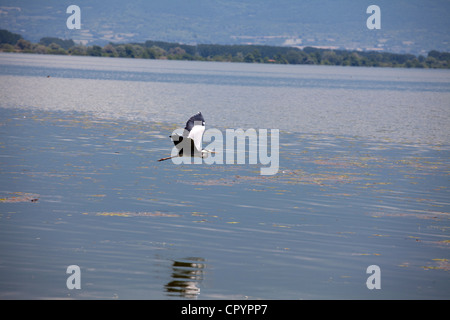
407	26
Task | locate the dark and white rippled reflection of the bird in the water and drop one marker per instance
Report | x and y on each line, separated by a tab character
186	275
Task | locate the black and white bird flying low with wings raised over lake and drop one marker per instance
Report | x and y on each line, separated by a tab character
190	143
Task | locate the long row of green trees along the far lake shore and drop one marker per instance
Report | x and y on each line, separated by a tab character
10	42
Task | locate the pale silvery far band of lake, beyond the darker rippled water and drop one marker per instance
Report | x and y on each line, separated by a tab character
390	104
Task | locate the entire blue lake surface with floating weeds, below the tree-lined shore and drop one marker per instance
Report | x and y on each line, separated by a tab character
363	180
